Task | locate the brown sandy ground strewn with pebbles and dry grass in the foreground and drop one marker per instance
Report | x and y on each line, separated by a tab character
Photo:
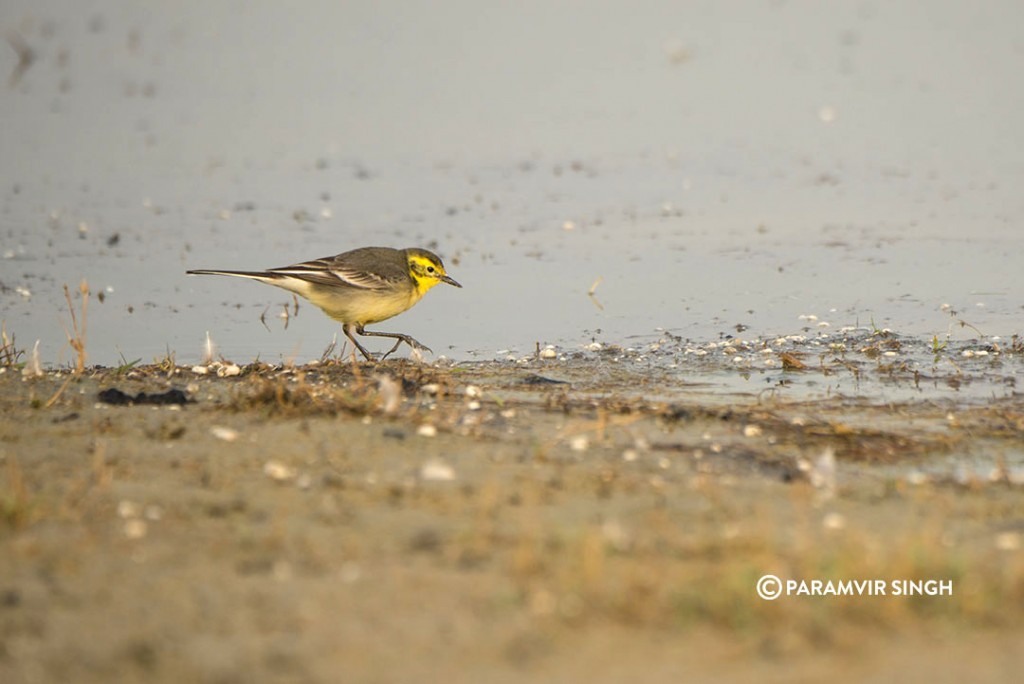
493	523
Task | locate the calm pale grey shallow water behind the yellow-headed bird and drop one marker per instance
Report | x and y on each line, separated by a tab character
704	172
